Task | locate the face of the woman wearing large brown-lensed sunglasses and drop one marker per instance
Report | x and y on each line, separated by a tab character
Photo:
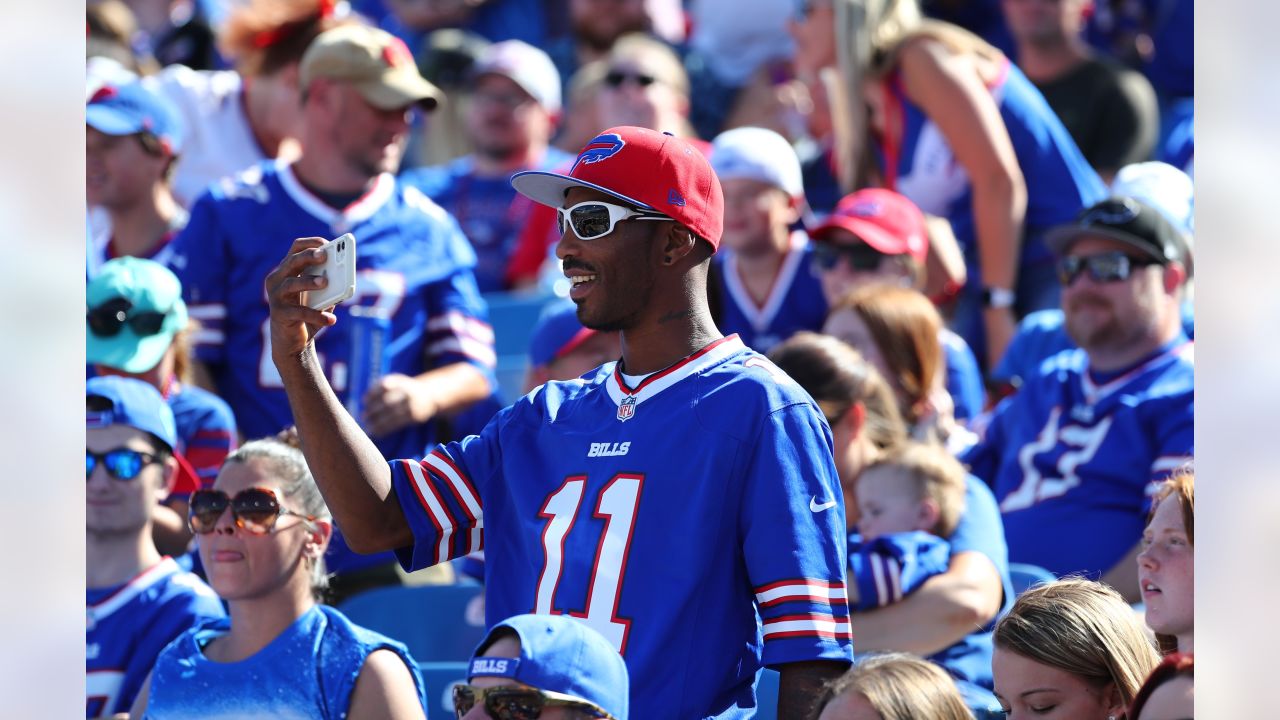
243	566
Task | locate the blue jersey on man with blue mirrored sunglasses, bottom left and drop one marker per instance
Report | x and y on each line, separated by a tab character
129	626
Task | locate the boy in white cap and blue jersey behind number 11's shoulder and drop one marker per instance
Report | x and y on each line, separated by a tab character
764	288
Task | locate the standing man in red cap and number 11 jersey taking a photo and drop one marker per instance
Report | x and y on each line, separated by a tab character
682	502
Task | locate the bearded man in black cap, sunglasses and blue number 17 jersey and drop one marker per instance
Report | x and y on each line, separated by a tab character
1075	455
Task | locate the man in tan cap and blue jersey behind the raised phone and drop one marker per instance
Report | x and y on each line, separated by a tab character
414	266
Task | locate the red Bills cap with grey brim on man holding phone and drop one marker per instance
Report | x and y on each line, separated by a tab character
644	168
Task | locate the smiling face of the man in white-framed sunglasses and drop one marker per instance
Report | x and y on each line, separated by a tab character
614	276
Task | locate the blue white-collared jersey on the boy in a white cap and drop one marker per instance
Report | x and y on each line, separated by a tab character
794	304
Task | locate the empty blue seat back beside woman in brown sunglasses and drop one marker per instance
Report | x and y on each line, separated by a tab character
436	622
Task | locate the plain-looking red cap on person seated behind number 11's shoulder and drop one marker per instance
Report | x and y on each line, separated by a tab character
881	218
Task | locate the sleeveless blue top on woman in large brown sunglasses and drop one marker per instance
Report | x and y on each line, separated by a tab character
308	672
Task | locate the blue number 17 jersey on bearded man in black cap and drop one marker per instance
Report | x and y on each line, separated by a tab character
1075	457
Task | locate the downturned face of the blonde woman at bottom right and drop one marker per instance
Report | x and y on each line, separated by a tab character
1028	690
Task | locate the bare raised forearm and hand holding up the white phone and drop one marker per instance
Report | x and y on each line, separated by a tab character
351	472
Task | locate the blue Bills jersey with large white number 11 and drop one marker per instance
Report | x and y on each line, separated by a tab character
696	521
